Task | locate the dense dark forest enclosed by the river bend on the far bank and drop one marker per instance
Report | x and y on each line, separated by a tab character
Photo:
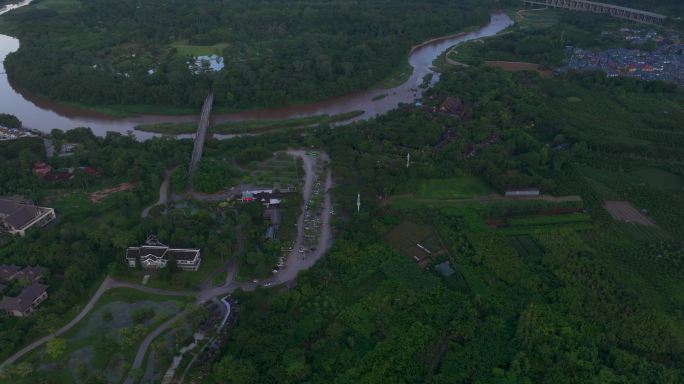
275	52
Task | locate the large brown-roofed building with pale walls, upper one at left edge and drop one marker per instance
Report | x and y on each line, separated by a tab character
17	217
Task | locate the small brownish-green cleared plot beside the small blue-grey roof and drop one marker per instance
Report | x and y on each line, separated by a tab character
420	243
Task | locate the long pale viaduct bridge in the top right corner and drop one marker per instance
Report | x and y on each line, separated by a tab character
609	9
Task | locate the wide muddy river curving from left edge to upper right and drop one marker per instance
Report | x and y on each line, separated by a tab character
44	115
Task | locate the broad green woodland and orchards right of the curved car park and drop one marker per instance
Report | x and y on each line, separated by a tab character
579	304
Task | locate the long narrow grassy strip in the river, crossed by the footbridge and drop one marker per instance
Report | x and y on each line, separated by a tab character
257	126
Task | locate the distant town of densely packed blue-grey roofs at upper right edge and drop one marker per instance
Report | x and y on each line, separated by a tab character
665	62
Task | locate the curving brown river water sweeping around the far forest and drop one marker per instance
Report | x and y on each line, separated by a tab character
45	115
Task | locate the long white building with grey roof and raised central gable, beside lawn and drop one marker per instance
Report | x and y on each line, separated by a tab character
155	255
